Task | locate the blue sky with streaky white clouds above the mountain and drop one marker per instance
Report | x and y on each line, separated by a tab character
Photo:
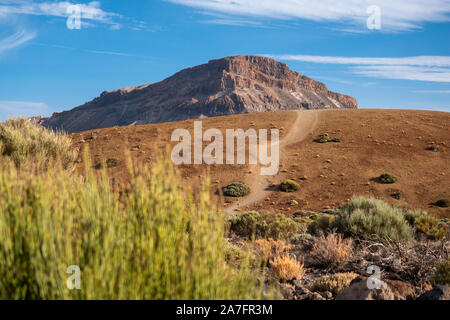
403	62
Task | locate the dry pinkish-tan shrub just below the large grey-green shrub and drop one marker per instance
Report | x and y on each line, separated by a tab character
332	250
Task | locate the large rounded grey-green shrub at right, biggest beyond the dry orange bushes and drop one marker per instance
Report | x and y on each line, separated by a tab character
372	219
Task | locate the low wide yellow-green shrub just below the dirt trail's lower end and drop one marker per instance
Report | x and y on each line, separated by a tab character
263	225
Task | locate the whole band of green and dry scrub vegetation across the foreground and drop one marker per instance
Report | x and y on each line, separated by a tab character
155	241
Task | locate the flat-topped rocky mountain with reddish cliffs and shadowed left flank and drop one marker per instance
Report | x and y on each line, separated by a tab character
241	84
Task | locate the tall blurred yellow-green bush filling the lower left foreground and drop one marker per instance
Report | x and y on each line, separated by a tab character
152	245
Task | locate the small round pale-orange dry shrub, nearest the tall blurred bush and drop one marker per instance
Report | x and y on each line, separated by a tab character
286	268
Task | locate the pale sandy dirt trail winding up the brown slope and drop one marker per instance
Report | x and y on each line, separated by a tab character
304	124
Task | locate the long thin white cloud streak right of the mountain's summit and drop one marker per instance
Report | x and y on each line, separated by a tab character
421	68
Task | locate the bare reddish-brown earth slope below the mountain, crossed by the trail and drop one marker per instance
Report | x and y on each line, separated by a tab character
372	142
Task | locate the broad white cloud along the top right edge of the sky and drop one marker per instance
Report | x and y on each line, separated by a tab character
395	14
